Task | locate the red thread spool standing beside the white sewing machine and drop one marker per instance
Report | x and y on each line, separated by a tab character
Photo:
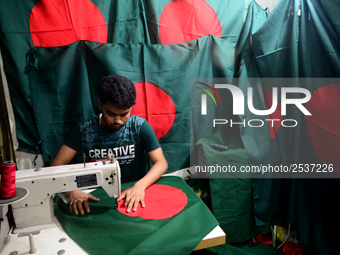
7	188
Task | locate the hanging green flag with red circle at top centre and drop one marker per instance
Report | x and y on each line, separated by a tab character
178	21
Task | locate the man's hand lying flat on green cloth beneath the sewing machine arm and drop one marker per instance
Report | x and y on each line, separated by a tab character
78	200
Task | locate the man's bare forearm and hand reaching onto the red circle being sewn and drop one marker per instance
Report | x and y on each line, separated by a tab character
135	195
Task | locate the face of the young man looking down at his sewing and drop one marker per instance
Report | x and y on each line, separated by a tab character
113	118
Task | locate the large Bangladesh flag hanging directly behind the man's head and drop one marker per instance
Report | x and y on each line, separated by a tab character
64	87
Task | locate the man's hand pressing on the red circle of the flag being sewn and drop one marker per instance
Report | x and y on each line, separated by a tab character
133	197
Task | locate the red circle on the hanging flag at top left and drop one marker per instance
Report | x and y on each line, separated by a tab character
56	23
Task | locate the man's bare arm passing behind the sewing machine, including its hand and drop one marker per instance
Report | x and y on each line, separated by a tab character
77	198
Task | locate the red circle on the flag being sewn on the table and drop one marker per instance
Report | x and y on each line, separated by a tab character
161	202
